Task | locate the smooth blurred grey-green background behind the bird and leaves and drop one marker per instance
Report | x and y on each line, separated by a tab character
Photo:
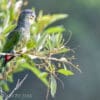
84	23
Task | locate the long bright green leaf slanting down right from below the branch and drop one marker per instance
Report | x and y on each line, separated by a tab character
27	63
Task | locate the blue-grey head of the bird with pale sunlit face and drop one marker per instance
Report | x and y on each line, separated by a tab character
27	16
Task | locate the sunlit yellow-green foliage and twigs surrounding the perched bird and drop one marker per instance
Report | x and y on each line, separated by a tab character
45	56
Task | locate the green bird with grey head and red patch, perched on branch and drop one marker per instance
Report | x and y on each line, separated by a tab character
18	38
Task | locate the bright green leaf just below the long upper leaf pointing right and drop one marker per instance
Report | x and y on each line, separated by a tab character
56	29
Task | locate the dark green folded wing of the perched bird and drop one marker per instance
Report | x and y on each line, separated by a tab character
12	40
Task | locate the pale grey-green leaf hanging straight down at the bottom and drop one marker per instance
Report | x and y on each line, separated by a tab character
53	86
